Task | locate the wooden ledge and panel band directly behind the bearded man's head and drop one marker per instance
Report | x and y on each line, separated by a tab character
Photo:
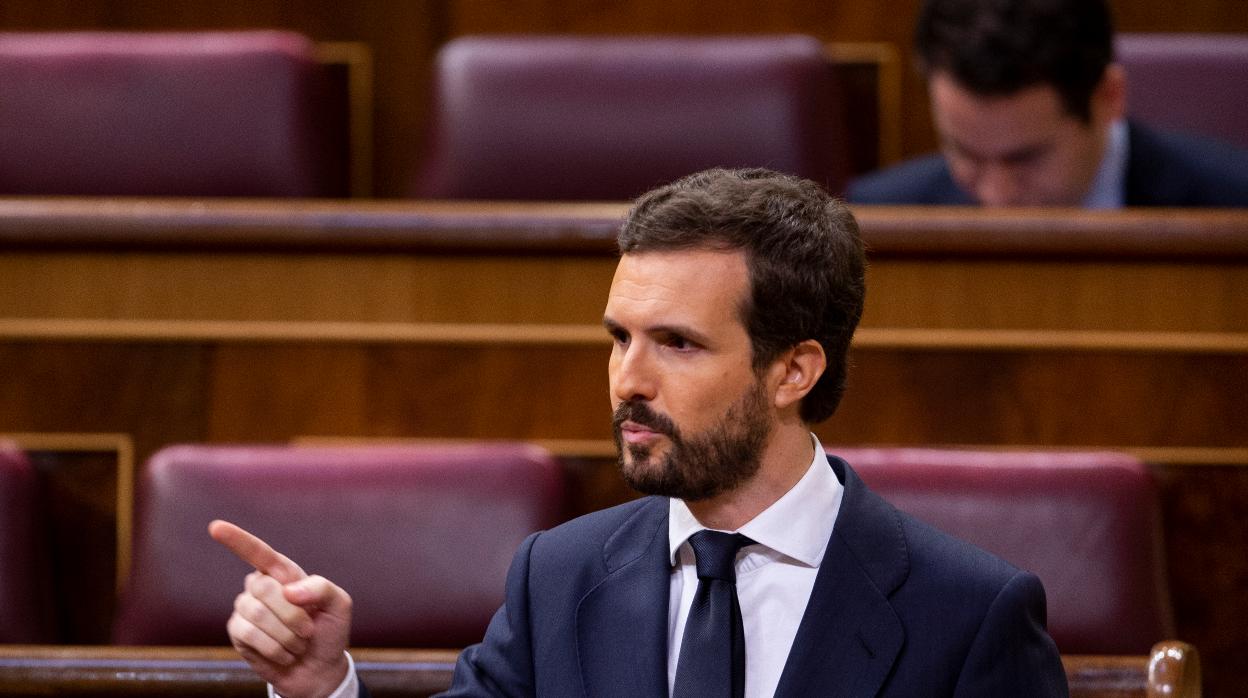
552	264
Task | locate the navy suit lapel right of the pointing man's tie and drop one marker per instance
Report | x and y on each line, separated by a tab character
851	636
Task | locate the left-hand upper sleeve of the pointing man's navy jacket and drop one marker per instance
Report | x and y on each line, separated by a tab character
502	664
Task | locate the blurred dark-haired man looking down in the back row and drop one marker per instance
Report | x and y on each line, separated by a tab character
1030	111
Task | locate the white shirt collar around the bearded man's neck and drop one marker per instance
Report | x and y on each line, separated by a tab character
798	525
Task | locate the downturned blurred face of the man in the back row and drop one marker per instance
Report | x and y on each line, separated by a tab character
1019	150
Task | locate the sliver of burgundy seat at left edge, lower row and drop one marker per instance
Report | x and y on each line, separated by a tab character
24	580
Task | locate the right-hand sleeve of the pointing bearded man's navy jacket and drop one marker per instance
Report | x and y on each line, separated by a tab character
1013	654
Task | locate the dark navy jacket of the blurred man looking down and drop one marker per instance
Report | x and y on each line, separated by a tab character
1164	169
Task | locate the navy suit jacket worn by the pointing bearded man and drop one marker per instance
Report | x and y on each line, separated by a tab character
898	609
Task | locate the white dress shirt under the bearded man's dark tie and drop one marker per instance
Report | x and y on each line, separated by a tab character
774	579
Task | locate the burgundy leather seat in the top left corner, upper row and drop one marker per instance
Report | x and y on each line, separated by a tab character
180	114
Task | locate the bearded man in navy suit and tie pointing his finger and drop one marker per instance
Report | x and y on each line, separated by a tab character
732	312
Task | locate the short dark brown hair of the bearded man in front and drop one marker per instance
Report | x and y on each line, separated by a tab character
802	248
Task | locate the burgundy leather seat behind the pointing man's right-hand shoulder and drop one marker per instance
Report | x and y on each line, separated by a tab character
1086	524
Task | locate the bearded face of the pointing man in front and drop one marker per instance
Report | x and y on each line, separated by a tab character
691	415
